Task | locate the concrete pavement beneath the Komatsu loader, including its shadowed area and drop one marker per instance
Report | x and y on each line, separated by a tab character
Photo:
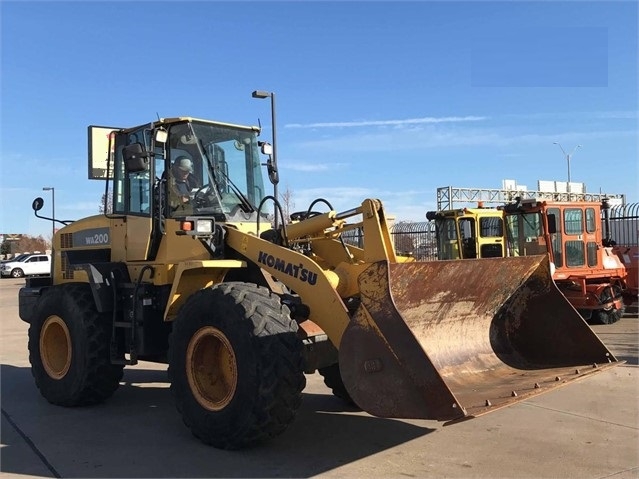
587	429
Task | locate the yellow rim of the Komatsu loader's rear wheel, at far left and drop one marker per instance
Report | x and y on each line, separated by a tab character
55	347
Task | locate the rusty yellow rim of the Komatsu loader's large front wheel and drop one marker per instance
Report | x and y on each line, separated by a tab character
211	368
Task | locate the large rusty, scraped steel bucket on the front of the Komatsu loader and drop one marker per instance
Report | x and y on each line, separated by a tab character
451	340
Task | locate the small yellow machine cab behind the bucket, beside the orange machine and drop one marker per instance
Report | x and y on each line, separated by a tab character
469	233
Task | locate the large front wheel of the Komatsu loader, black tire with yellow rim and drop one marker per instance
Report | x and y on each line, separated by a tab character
235	365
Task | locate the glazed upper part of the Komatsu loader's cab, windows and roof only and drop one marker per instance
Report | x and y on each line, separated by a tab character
224	180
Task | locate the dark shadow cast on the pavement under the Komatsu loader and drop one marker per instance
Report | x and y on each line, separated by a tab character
138	433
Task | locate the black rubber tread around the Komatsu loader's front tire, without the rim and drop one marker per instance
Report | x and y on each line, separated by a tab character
280	365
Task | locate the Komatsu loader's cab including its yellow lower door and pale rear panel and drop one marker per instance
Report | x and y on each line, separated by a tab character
225	186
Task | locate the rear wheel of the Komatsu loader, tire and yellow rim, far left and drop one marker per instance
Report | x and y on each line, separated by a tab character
69	348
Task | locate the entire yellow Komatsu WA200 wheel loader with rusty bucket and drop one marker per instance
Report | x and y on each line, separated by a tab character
241	310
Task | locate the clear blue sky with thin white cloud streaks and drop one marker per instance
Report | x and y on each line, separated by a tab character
386	100
